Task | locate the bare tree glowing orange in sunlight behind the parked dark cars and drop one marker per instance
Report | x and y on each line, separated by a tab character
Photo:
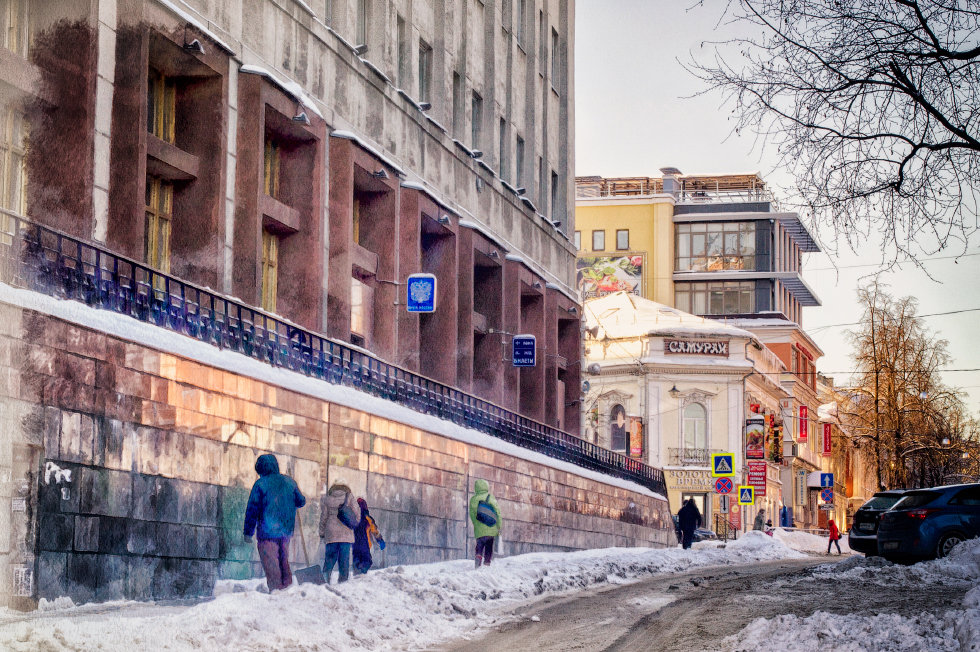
912	428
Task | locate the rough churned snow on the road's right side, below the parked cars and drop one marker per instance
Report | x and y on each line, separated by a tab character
956	629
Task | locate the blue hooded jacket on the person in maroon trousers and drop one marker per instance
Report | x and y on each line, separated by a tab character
272	505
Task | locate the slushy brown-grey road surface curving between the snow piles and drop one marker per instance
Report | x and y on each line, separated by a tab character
696	610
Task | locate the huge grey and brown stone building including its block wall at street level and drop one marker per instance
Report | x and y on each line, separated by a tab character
261	178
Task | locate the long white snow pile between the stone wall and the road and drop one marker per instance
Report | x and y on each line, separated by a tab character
405	607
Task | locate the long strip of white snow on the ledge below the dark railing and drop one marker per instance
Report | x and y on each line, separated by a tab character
138	332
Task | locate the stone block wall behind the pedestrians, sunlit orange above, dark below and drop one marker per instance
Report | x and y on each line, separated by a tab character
139	464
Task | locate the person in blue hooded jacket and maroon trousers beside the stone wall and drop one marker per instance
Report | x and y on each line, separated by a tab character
271	515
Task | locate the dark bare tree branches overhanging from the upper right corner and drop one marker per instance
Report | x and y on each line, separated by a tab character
874	106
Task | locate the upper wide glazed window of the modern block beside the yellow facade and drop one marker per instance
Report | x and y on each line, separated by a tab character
716	246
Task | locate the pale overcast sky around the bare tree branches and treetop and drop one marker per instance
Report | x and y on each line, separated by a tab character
634	114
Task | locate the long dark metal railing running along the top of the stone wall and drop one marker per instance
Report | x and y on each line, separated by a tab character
52	263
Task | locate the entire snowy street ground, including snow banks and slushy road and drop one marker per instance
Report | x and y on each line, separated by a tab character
687	599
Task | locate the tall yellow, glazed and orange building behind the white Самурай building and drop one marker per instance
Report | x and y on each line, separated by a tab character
718	246
